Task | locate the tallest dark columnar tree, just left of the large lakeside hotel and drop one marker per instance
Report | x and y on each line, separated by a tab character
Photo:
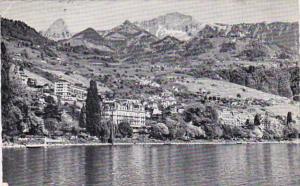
93	112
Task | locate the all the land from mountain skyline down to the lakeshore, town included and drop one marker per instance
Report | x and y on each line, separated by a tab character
134	83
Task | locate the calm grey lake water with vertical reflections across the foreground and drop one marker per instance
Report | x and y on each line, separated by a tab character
251	164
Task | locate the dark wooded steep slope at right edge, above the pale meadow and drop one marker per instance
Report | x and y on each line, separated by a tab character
280	81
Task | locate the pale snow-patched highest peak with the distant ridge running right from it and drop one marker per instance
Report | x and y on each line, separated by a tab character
184	27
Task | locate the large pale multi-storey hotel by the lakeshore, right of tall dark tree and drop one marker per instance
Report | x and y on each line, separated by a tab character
125	110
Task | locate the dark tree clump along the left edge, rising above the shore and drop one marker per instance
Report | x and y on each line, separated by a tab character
17	118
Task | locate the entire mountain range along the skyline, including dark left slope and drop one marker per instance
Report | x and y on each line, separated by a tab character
143	41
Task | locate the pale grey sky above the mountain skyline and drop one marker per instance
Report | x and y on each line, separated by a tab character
105	14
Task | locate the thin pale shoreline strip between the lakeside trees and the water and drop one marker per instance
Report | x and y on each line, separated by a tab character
204	142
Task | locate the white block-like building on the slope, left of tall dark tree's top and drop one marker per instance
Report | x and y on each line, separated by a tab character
67	90
